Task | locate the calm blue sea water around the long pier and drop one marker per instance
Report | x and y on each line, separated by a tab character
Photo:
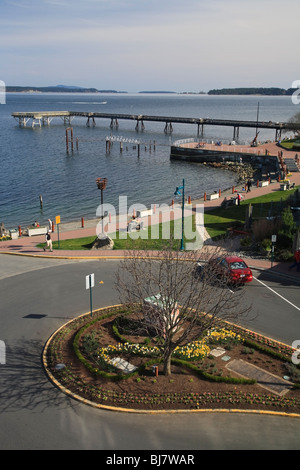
34	161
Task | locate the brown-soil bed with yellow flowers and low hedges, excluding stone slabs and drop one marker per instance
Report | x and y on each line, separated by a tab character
198	380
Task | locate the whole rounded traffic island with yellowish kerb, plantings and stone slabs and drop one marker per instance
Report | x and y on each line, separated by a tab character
103	360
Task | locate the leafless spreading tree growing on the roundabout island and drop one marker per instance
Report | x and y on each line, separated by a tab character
173	299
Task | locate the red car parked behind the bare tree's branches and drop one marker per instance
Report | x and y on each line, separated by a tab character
234	267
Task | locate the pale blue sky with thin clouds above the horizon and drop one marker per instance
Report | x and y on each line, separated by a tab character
153	45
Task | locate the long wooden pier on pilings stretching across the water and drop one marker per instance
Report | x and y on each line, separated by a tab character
42	118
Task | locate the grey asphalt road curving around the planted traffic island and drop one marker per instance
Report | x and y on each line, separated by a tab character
38	296
